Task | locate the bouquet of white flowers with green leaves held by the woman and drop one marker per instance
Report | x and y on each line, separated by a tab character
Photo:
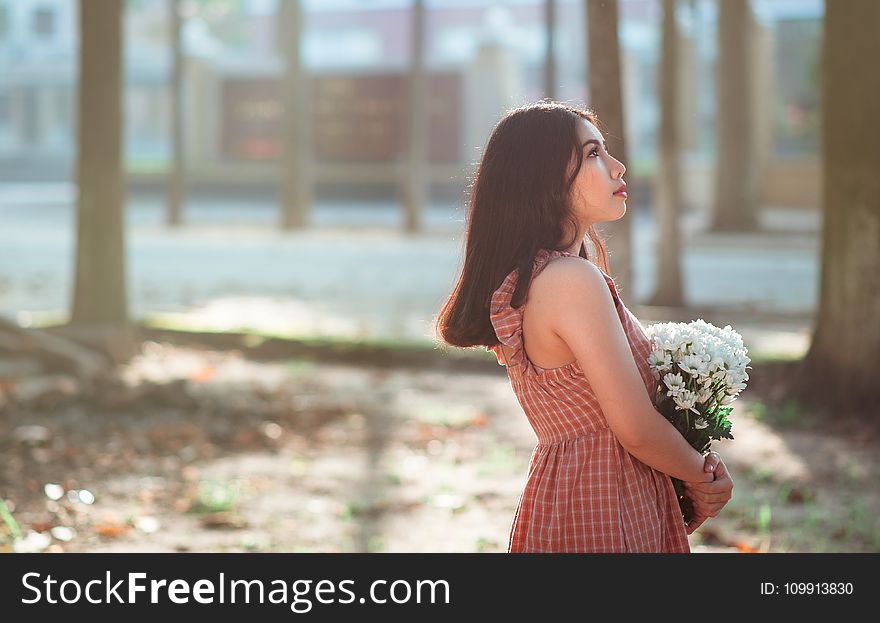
700	370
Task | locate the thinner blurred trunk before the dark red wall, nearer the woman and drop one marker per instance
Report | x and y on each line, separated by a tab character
415	188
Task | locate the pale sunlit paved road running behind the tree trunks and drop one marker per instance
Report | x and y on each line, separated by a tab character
353	273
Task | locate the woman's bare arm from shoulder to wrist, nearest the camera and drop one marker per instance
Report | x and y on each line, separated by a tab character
579	308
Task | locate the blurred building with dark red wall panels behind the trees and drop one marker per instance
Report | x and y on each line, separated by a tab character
482	57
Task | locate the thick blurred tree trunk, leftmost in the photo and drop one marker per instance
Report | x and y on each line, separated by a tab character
100	307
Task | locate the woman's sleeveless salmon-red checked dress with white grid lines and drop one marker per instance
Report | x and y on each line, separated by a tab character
584	492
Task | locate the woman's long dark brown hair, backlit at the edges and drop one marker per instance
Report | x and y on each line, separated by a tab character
519	203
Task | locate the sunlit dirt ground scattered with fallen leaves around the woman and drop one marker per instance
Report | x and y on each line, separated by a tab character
215	452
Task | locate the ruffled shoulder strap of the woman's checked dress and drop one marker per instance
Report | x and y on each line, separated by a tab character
507	320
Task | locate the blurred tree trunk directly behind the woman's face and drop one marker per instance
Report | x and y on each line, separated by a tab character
603	75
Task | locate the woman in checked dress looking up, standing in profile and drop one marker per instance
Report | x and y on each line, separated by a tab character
576	356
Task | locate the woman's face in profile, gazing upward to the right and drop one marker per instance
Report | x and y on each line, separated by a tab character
600	177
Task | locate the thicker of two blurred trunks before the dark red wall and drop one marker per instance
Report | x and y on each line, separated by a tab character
296	191
